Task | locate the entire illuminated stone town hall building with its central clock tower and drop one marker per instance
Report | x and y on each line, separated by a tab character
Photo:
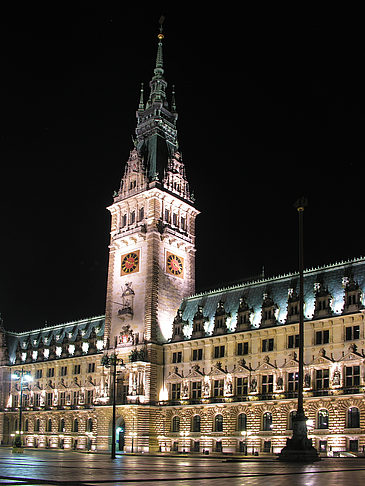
211	372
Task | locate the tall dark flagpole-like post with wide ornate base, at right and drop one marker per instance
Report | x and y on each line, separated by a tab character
299	448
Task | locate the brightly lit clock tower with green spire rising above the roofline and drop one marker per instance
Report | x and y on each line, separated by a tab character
152	245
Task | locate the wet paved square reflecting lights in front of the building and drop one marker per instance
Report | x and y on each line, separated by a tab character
72	468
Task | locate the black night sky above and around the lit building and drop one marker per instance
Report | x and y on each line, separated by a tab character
271	107
